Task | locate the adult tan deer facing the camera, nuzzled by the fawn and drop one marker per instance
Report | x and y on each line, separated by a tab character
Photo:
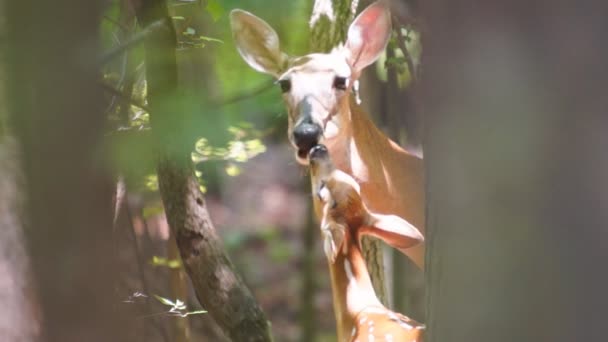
316	89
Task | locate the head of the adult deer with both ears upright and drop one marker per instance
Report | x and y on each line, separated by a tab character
316	86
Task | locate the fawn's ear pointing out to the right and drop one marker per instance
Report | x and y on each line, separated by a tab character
393	230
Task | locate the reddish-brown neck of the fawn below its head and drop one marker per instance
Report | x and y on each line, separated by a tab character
351	286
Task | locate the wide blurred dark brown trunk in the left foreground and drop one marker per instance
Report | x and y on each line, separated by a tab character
57	112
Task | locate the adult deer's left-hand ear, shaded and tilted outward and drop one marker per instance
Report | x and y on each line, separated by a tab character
257	43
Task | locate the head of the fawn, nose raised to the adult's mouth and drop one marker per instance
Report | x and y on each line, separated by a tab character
345	214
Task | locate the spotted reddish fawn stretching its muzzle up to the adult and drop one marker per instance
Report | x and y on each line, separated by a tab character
360	316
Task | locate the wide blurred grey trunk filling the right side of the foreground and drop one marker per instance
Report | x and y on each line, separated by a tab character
518	170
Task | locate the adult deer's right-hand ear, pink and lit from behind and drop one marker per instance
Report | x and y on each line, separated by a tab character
368	35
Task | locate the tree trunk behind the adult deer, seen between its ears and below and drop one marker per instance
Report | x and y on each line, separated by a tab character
329	24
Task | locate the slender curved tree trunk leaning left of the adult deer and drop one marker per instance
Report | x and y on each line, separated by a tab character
219	289
